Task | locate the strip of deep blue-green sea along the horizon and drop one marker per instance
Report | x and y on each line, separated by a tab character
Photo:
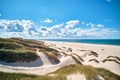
91	41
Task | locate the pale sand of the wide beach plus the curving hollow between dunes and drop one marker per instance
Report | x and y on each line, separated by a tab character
45	66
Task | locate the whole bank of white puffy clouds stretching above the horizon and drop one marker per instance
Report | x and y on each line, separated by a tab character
27	29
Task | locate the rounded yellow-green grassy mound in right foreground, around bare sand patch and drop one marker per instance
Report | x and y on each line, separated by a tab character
90	72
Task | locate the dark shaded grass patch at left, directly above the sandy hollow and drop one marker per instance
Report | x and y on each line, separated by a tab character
21	56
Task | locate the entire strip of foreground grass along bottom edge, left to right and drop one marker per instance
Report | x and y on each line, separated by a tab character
61	74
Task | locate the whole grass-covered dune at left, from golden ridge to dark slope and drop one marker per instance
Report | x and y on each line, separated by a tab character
18	49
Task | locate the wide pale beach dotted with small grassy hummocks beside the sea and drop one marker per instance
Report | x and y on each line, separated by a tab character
103	52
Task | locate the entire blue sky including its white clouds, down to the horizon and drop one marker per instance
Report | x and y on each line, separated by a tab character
60	18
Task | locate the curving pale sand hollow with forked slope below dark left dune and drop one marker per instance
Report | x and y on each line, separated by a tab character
46	67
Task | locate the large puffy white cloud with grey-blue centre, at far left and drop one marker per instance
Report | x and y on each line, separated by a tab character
16	25
